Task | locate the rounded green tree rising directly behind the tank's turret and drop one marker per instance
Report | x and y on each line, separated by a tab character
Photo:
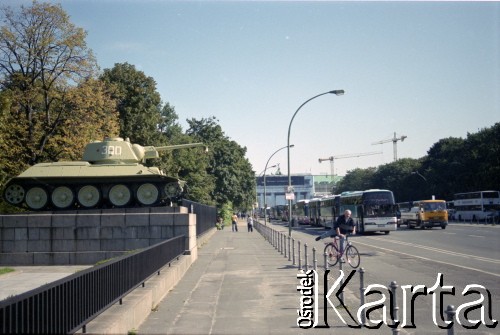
139	104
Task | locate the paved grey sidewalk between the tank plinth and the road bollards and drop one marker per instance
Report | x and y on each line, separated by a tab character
240	284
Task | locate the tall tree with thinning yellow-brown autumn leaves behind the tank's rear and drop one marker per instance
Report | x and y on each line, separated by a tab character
50	105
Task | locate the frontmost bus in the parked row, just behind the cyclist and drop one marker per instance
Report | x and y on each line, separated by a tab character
372	210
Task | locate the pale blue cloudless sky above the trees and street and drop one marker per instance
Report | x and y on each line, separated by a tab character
424	70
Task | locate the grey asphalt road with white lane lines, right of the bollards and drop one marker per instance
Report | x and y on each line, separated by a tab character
463	254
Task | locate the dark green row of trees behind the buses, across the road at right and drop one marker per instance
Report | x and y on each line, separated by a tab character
452	165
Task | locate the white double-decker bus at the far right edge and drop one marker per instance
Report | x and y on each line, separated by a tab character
476	206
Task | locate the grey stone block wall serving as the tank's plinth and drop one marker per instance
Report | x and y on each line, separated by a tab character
86	237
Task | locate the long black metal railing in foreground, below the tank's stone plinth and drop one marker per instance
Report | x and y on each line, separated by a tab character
68	304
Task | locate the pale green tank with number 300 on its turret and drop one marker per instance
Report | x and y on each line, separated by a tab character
110	175
